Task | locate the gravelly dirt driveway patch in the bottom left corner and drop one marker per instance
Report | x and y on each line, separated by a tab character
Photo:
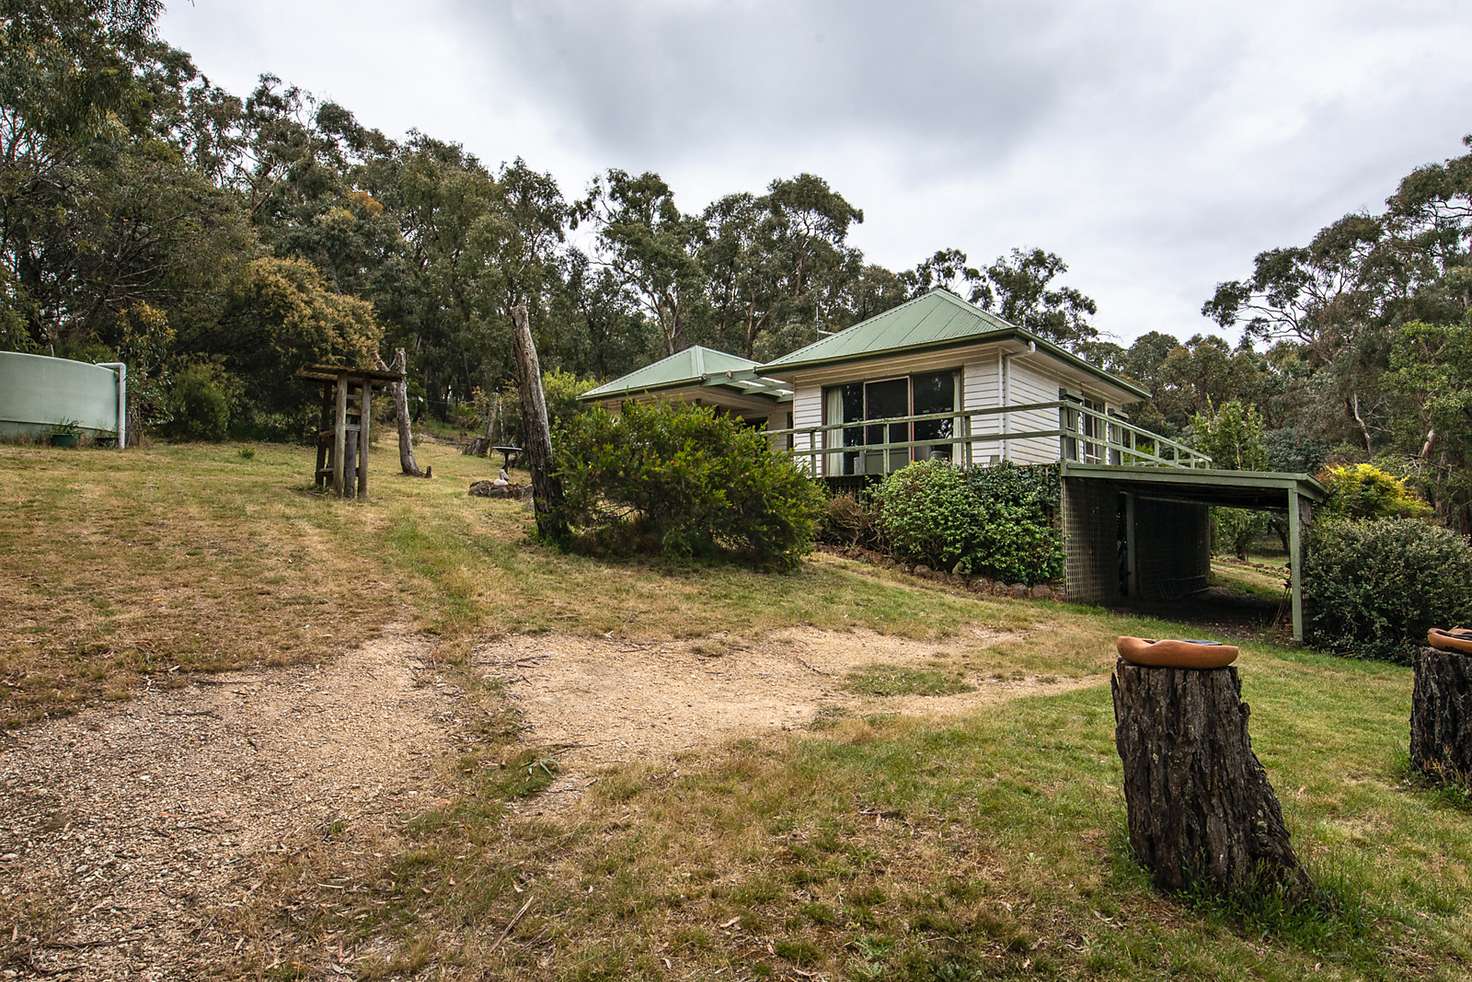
129	833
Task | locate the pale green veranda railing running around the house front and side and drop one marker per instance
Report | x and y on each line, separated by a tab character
1090	437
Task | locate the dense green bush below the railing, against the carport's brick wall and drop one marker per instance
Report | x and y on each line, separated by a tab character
997	522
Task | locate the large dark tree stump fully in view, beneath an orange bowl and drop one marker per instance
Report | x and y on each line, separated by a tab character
1202	812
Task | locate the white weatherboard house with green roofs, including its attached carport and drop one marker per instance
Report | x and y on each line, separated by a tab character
941	378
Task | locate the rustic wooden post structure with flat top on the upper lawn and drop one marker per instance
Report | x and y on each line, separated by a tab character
344	428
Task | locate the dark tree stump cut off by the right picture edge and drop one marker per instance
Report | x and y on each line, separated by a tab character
1442	716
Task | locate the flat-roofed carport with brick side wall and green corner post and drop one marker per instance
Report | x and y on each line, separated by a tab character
1146	532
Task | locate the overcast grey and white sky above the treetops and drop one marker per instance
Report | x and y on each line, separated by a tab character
1155	146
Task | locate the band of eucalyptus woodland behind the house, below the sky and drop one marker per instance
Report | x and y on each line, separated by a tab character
217	242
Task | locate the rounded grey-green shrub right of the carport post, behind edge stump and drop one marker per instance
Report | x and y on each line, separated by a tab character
1374	588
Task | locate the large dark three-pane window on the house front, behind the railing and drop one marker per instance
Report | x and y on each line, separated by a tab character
885	400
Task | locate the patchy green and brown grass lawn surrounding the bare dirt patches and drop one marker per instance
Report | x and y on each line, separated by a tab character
884	847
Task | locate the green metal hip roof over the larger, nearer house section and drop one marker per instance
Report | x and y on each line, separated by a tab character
937	320
